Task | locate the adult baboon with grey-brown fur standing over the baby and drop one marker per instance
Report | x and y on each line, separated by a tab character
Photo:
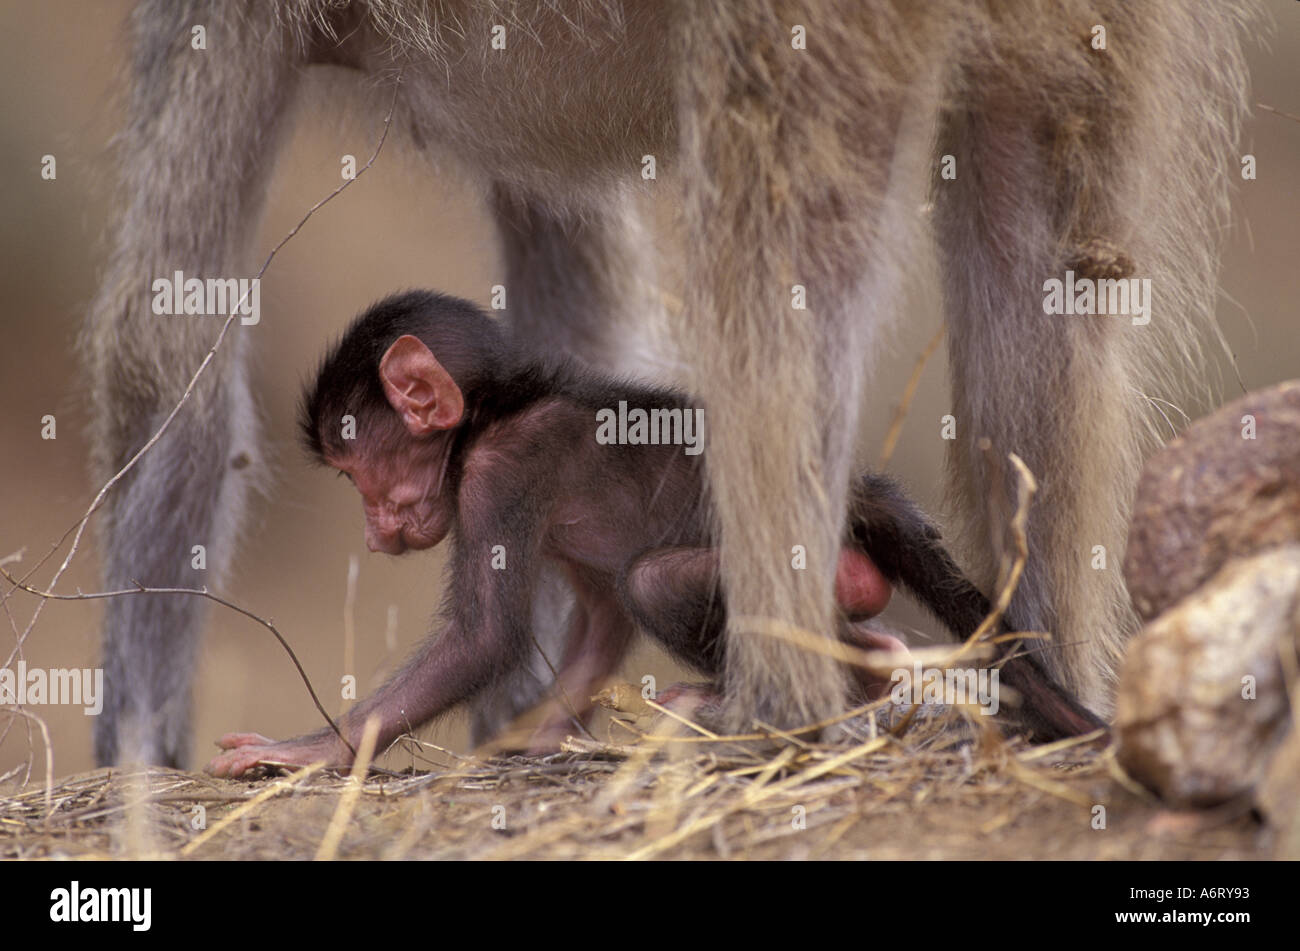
1086	136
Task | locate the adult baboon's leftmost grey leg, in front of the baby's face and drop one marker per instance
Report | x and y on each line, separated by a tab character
196	157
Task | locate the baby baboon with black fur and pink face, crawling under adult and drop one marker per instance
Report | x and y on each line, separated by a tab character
449	431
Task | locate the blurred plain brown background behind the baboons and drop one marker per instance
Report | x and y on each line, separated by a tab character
396	228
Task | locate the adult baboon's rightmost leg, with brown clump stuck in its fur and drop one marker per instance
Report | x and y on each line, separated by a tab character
1110	163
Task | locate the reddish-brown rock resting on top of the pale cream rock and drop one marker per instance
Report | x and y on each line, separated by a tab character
1215	494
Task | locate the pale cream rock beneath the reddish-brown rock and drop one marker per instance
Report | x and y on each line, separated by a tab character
1185	727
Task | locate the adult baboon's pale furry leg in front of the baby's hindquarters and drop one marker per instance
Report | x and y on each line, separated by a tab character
790	155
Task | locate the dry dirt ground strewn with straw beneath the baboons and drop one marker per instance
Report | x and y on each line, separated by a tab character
902	788
